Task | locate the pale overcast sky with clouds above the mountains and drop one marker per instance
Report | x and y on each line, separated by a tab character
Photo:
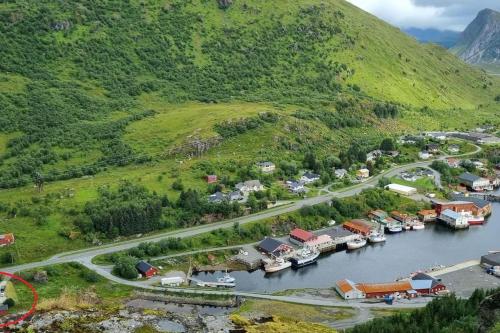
440	14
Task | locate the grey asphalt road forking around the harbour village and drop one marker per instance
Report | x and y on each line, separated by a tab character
85	256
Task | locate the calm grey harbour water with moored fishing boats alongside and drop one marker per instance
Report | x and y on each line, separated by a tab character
400	255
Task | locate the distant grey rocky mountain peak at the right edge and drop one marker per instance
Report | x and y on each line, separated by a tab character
479	44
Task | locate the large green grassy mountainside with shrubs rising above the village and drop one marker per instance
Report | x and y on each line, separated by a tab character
163	92
